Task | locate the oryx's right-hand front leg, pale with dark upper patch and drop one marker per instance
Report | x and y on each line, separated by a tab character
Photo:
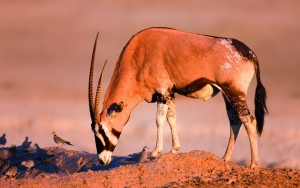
171	117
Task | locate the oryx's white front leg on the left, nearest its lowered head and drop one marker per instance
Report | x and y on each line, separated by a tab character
160	120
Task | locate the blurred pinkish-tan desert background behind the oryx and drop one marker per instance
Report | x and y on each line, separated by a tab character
45	52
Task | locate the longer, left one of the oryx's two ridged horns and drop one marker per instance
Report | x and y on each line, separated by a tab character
90	91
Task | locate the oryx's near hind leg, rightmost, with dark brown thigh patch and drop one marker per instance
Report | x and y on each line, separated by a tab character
238	101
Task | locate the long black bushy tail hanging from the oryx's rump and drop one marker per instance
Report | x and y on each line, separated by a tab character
260	103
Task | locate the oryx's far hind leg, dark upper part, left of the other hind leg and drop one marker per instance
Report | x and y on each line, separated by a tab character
235	124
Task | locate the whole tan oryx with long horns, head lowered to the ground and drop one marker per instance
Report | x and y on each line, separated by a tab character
155	64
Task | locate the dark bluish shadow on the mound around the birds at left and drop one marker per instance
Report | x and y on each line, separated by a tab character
54	160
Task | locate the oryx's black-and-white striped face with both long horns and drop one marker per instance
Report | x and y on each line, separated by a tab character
105	137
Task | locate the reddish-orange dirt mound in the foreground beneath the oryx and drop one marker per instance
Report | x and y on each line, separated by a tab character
197	168
